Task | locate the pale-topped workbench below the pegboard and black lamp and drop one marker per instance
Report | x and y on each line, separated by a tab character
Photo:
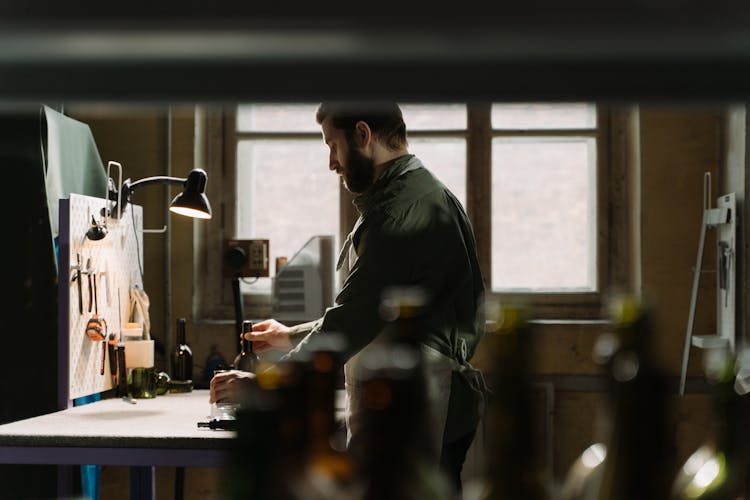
162	431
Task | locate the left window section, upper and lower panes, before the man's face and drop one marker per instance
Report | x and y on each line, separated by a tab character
285	192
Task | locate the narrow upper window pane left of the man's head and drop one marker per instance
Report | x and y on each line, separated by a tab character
277	118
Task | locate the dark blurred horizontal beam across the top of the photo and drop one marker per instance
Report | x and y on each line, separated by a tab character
228	51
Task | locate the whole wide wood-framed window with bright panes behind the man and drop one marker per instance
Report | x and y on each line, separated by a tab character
529	175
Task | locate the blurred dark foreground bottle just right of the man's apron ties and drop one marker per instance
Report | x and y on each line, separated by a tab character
514	468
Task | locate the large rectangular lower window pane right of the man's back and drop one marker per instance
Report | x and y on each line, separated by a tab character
543	214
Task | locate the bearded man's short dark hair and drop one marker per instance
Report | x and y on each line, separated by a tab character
385	120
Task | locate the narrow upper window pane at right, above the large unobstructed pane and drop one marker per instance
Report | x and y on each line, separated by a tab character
537	116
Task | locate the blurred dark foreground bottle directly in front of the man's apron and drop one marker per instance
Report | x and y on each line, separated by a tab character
392	441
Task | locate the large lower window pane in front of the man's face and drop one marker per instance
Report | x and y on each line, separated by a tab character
286	195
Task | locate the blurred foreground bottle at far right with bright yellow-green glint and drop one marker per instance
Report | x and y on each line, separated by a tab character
719	468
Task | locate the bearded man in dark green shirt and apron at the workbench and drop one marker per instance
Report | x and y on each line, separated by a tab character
412	232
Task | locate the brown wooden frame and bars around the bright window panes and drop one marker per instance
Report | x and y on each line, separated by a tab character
217	127
